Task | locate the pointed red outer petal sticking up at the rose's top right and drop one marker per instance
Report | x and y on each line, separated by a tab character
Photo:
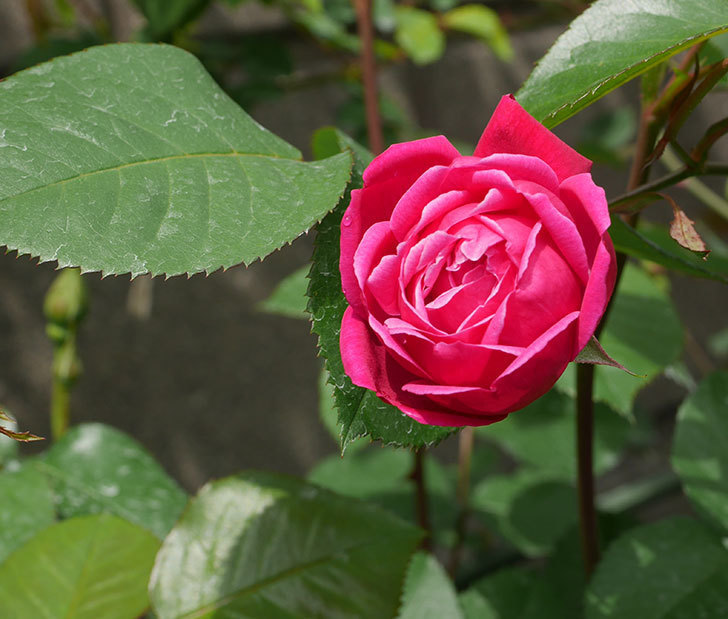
513	130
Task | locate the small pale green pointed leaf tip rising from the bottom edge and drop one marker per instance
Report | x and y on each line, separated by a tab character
428	592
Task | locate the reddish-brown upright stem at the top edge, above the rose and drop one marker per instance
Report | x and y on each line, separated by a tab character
363	9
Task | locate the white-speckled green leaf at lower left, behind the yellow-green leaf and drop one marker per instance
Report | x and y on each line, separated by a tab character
95	468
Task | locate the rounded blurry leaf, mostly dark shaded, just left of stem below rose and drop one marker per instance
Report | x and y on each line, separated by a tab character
532	508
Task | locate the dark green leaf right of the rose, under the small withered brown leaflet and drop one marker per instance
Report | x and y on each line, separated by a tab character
653	243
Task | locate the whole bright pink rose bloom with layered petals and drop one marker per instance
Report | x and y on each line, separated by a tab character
473	281
